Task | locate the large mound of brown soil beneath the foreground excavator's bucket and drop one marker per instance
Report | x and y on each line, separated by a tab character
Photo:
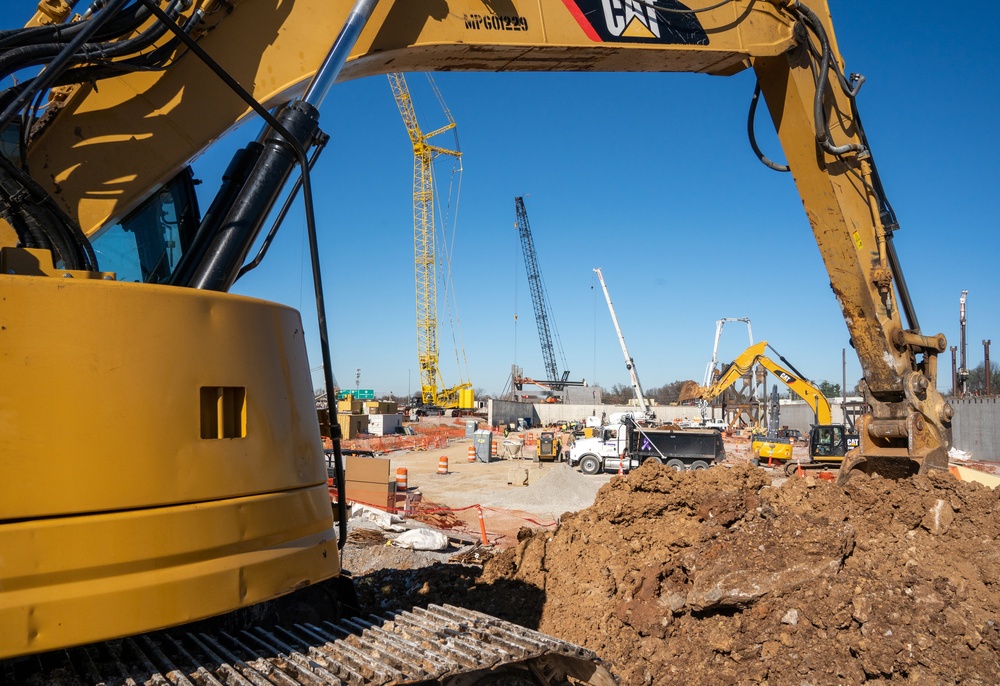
715	577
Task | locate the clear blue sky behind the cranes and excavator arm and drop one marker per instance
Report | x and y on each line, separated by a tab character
651	178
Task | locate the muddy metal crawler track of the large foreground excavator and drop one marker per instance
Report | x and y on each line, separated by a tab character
442	644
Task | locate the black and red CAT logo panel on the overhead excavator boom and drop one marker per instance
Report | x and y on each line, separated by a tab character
638	21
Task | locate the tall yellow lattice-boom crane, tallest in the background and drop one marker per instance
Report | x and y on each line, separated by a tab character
424	248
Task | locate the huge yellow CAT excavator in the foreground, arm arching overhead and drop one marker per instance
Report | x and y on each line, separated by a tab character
162	467
